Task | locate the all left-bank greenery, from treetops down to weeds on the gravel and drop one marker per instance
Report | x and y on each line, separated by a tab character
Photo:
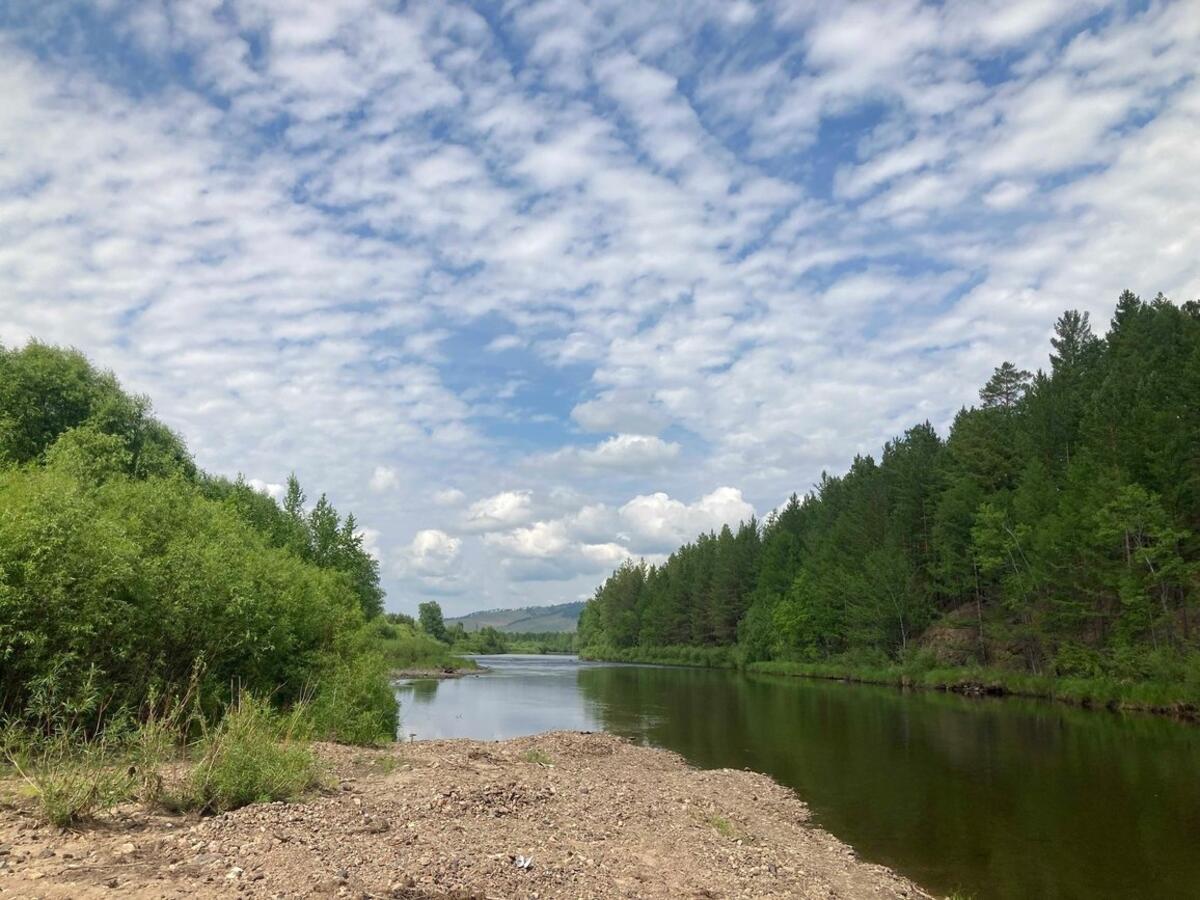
147	604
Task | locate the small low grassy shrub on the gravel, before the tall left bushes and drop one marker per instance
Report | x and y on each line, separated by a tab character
254	755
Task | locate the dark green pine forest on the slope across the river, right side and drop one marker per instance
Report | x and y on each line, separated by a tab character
1054	531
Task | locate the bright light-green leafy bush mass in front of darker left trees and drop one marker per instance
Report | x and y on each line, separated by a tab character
136	584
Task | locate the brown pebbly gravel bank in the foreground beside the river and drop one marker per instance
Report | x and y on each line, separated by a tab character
559	815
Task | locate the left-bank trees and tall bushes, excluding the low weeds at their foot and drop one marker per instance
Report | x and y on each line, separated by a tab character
128	575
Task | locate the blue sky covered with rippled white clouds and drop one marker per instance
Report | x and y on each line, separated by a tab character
538	287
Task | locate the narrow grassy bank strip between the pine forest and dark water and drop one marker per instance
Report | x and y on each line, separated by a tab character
1096	694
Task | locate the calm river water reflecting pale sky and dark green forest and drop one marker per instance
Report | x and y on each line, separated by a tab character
997	799
